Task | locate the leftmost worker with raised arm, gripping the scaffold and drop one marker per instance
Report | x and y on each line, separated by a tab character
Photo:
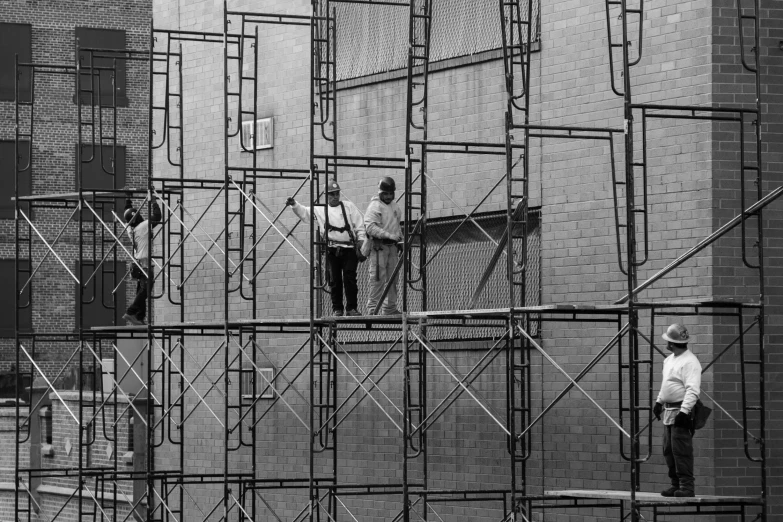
139	233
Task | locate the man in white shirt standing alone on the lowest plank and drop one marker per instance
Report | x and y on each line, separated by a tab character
680	390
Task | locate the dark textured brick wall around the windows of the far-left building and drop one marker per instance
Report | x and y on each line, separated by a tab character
53	160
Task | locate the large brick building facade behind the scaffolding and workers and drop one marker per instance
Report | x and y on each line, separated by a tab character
690	56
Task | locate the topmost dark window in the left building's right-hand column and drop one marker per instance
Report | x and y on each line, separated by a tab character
104	80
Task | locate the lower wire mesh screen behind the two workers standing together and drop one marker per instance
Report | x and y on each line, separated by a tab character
454	273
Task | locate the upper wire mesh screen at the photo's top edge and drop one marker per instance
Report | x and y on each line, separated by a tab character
374	38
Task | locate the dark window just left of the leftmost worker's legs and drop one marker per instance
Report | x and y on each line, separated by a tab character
99	306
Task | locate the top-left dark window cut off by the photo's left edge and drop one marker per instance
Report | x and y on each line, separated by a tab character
15	39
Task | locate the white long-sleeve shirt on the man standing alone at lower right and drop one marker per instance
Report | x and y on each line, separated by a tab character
681	382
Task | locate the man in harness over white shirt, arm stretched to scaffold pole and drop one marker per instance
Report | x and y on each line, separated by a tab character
346	238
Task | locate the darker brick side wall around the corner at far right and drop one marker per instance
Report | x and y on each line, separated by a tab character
734	85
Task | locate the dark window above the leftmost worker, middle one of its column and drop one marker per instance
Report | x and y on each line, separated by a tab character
101	170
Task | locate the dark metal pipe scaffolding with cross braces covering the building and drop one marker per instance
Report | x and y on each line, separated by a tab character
175	350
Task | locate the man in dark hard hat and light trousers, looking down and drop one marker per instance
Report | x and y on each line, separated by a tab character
382	221
